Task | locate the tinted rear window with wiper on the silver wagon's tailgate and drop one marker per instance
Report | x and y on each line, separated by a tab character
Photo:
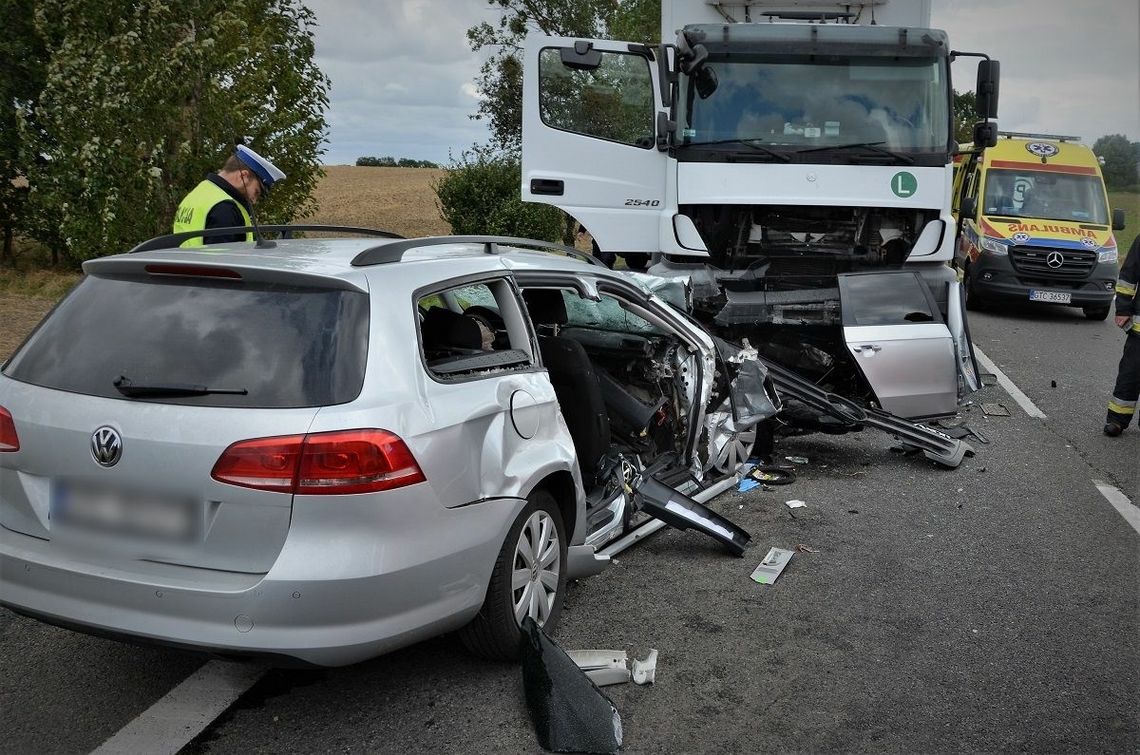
287	346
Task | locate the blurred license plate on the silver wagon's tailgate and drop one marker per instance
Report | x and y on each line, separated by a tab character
79	508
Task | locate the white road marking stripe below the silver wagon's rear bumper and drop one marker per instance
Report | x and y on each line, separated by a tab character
185	712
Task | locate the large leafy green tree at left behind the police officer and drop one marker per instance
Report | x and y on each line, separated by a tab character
141	101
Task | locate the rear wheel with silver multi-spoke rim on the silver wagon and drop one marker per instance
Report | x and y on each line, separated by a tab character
495	632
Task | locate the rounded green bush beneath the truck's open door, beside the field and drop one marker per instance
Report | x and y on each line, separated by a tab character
481	196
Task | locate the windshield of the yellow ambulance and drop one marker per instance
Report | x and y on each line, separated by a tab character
1046	196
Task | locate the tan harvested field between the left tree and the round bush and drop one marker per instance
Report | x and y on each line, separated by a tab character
401	200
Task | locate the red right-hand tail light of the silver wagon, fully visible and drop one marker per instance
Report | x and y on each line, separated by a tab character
322	464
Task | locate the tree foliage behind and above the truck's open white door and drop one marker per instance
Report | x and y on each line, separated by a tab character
501	78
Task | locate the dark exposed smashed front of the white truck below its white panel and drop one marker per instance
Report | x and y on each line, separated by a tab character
772	279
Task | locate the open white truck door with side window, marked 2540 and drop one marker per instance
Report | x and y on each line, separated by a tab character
590	115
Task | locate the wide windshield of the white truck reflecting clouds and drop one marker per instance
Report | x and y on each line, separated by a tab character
794	103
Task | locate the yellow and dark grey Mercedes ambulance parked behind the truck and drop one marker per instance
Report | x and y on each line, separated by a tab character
1035	225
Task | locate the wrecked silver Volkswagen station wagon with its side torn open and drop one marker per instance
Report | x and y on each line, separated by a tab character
322	450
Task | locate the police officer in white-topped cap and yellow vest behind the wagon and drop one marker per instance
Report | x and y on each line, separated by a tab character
226	199
